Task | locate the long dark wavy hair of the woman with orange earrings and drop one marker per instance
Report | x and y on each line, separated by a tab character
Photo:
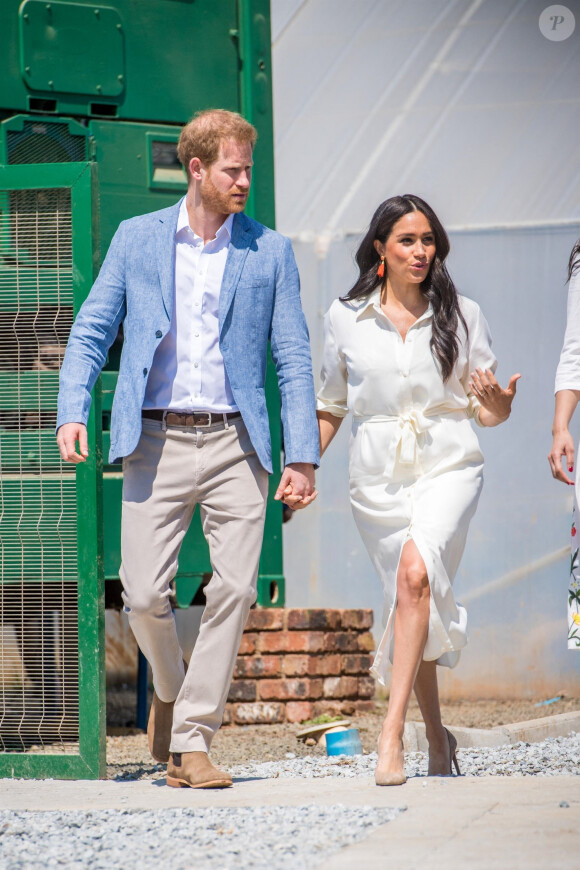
438	288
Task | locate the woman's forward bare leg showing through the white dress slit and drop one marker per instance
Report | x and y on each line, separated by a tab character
410	636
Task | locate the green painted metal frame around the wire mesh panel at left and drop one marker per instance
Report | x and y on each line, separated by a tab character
90	762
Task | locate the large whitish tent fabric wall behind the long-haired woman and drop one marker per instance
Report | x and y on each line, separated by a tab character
468	104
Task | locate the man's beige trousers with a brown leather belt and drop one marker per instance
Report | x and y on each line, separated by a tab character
169	473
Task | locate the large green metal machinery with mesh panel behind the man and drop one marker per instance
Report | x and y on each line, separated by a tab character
92	98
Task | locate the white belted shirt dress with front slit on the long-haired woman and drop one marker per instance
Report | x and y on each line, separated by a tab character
416	468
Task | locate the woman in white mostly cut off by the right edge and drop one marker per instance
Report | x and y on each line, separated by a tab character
567	396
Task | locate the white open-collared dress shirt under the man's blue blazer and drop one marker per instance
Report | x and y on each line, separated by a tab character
188	372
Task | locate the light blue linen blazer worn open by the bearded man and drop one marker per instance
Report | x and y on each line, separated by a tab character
259	302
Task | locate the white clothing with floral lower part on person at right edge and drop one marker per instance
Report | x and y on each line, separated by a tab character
568	378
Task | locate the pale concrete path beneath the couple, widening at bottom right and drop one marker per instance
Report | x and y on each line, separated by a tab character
463	823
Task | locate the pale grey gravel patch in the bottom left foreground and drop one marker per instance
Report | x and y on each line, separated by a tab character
287	838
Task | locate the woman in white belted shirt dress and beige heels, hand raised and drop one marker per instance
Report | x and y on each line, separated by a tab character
411	360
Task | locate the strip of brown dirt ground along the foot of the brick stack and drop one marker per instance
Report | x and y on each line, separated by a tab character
128	757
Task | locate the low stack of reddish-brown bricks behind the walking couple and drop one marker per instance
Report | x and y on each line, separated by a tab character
295	664
